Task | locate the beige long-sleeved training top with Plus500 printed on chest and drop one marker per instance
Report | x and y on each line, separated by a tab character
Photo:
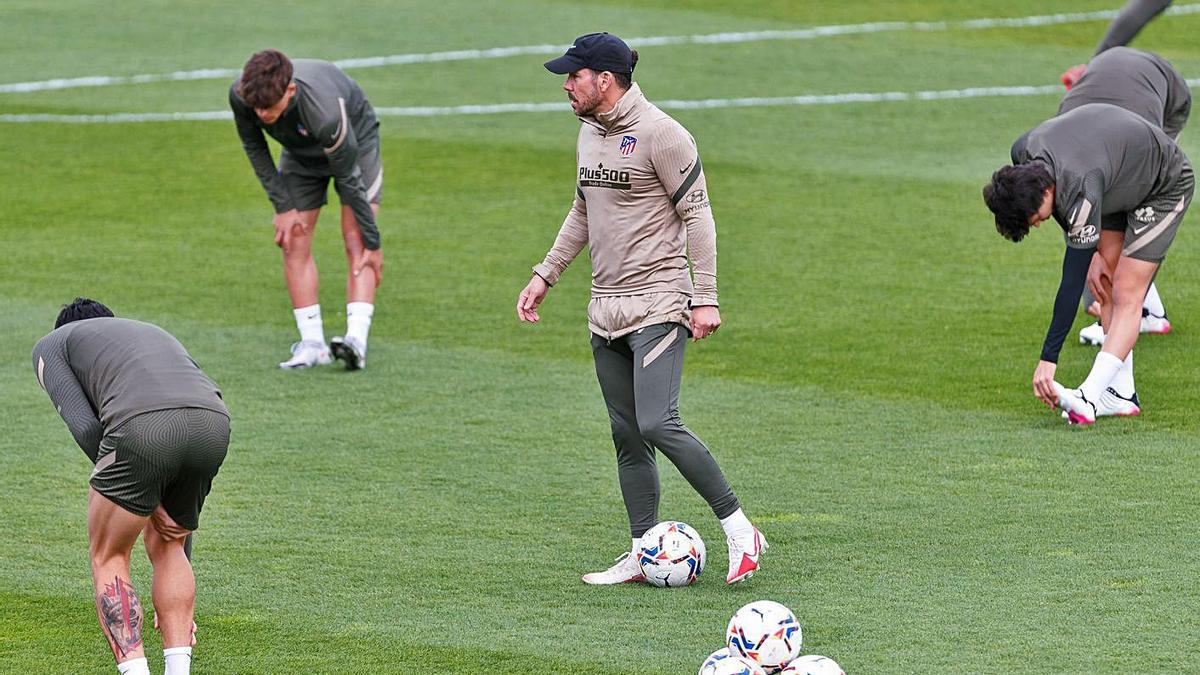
641	204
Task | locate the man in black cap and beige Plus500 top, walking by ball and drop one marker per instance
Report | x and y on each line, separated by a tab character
641	205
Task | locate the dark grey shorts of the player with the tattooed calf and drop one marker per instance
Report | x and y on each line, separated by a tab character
167	458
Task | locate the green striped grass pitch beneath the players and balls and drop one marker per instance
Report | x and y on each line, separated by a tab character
868	396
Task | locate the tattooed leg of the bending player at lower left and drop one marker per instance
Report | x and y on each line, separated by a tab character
112	533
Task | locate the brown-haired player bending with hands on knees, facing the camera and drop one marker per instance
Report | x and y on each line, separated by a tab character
328	130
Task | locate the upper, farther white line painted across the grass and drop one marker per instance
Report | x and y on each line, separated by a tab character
655	41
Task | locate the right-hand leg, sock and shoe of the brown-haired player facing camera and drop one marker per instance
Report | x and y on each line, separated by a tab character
361	292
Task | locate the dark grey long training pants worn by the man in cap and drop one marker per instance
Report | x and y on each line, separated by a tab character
640	378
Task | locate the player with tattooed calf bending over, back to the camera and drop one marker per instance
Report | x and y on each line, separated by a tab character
158	432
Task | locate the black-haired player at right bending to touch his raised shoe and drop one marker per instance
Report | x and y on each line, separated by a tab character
1119	188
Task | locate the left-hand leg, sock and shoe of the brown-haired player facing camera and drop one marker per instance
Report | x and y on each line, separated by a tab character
301	274
